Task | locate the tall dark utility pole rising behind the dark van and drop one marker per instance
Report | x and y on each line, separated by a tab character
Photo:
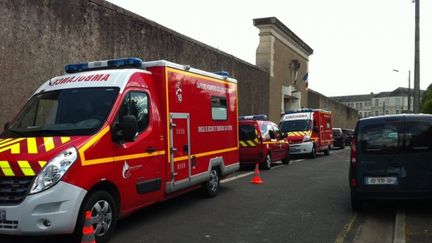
417	58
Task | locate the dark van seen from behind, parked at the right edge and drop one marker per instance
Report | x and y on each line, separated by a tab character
391	158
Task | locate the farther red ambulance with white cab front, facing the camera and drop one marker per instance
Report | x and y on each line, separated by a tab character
308	131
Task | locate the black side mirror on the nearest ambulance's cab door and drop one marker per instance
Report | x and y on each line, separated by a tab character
126	130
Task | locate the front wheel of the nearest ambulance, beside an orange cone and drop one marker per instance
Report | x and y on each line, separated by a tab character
104	215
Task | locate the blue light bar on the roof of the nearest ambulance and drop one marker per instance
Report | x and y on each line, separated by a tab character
132	62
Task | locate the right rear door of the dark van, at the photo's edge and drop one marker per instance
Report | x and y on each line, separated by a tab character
418	153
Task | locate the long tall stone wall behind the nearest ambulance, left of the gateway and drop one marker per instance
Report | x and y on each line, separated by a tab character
39	37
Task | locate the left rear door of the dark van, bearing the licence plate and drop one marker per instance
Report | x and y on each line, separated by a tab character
380	154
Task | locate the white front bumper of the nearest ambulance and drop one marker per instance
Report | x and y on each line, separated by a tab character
53	211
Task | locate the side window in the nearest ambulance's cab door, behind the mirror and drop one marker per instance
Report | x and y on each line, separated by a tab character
136	104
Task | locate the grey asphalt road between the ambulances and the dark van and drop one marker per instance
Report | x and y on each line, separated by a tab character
306	201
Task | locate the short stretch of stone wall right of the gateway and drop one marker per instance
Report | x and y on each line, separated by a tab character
343	116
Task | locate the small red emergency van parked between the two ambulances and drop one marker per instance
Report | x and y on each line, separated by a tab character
261	142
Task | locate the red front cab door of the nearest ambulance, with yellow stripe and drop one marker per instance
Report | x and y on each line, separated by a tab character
141	160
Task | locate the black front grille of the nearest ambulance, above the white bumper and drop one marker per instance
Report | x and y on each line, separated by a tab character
13	190
